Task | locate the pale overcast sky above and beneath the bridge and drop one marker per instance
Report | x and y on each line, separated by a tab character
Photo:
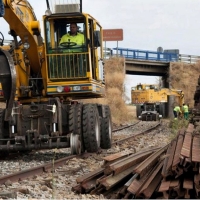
146	24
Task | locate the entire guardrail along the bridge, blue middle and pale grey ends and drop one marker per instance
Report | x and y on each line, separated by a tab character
150	55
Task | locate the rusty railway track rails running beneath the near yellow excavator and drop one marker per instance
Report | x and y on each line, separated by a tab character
51	166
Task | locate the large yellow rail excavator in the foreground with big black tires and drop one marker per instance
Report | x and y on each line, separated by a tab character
43	82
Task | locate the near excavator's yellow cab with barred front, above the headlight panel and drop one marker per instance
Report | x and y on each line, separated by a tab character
69	60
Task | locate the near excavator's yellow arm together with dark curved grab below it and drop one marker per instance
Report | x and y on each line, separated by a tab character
19	58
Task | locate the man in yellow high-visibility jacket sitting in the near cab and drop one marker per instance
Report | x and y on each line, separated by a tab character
73	40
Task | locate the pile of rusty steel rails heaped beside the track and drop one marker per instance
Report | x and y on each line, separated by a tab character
172	171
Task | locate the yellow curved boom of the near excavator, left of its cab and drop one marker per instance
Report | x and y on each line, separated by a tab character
23	23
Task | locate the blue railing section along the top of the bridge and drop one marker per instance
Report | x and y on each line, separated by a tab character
145	55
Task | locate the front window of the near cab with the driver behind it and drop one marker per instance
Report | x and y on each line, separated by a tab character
65	35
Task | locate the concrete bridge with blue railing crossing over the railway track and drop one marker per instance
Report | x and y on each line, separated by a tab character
150	63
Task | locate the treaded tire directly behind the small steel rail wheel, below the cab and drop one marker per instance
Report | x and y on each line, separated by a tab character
75	122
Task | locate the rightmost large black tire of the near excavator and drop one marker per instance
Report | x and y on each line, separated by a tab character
106	129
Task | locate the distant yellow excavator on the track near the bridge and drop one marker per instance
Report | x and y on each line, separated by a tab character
151	101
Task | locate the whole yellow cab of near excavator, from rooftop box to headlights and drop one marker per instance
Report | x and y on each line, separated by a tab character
69	62
